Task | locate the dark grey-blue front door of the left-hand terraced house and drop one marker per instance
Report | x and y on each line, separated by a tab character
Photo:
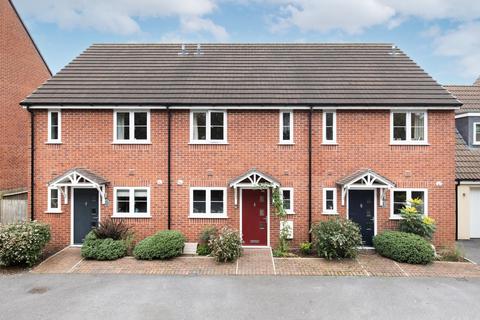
85	213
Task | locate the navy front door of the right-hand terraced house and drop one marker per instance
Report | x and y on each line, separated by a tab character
361	209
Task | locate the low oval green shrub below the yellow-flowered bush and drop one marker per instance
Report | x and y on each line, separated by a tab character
404	247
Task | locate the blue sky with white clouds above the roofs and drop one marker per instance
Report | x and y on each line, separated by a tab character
442	36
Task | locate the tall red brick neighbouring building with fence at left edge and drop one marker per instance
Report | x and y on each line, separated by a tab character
22	70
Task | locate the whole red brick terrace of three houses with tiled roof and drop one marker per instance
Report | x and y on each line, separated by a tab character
182	137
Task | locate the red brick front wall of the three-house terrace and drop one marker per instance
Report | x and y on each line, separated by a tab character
363	139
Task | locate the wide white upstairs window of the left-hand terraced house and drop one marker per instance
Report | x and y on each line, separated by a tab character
132	126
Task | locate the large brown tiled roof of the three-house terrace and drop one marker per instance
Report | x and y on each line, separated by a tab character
353	75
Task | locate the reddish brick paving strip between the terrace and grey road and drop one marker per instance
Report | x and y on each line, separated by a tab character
256	262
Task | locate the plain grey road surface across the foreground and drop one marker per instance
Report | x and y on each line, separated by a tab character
32	296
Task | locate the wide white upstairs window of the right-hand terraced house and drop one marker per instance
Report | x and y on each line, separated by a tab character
409	127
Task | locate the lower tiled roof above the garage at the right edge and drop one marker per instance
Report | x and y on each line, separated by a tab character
467	161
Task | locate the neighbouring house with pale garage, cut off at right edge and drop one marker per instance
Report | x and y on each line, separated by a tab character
467	120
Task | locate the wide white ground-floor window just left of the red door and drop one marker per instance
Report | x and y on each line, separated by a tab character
208	203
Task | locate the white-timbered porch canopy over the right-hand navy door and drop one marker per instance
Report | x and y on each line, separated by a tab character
365	179
